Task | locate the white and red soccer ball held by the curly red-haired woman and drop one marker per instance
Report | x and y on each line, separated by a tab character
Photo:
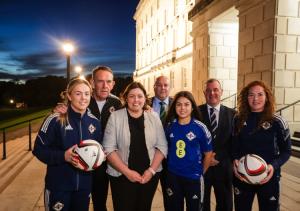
253	168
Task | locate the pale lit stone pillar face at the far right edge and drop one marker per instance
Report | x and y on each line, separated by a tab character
287	59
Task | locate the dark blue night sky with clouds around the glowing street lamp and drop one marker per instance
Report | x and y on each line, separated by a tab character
31	32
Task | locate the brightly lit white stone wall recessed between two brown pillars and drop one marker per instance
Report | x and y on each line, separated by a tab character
223	50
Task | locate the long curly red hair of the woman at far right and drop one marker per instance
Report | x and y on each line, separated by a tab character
244	109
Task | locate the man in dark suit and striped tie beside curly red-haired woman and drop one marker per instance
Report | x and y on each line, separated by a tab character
218	118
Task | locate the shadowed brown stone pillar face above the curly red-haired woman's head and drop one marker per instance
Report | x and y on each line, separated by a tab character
256	38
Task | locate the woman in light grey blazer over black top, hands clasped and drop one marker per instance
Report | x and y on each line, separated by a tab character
135	144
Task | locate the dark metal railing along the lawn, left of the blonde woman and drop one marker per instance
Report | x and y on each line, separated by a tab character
4	129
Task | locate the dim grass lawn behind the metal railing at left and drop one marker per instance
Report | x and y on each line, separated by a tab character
20	115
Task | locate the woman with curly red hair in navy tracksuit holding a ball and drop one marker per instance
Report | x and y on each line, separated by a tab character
258	130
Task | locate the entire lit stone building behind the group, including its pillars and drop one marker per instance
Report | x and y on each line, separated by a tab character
236	41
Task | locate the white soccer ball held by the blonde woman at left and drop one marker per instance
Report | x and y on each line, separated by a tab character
90	155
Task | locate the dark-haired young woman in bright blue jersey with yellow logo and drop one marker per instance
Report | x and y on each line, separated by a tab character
189	153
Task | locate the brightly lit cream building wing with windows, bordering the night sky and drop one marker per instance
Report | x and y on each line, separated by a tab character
164	43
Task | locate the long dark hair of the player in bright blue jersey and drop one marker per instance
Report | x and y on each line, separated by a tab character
171	115
